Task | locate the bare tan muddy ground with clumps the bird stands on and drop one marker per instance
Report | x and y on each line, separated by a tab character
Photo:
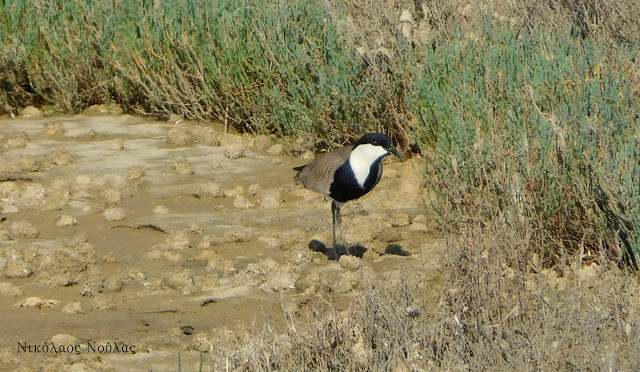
155	234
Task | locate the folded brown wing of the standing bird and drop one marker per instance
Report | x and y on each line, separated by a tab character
318	175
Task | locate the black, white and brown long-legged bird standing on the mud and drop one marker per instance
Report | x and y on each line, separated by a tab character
347	173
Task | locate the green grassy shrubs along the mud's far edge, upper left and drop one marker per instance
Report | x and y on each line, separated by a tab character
269	67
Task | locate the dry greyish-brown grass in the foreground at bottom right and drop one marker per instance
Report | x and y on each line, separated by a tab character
497	310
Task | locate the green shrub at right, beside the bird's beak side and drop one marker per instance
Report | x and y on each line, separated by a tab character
537	131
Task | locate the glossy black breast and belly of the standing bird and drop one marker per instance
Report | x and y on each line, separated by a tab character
345	187
